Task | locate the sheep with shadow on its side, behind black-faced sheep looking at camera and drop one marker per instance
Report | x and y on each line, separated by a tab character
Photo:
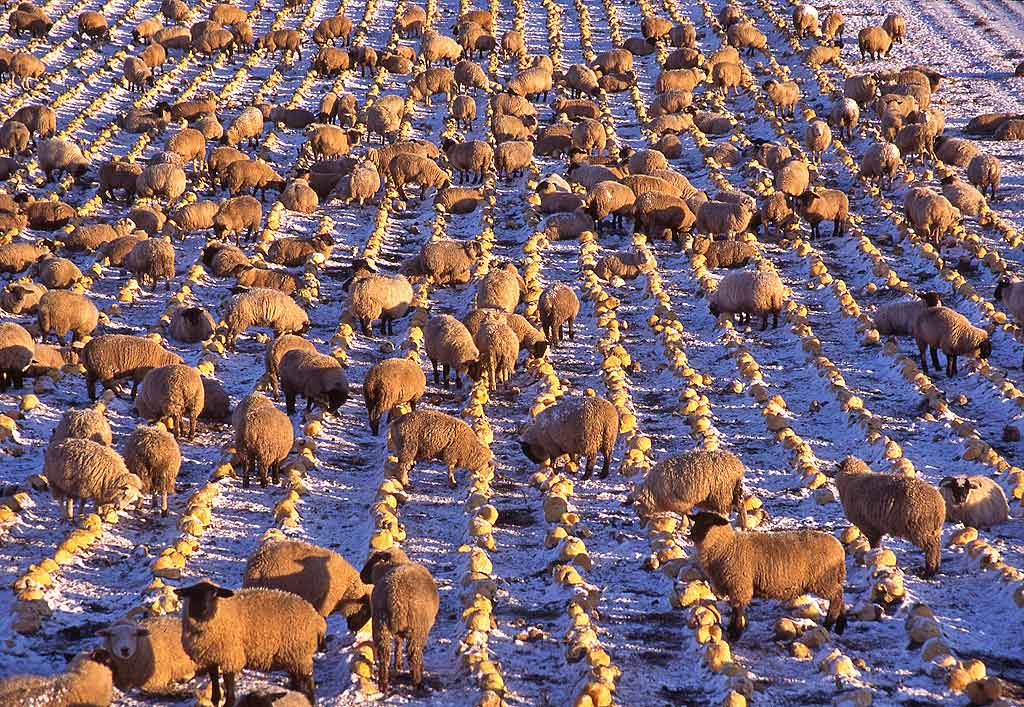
322	577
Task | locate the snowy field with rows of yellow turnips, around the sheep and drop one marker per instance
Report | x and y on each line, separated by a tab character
552	592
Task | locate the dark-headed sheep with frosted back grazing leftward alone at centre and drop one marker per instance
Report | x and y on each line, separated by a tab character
576	428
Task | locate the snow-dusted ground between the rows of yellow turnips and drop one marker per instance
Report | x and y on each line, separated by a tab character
976	46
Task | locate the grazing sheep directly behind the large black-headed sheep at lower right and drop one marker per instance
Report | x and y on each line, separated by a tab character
710	480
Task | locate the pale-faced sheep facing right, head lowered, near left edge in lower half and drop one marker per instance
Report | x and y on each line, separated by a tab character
83	470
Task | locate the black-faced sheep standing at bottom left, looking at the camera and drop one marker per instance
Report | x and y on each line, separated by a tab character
265	630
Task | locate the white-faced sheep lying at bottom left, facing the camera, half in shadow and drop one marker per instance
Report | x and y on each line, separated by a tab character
148	655
